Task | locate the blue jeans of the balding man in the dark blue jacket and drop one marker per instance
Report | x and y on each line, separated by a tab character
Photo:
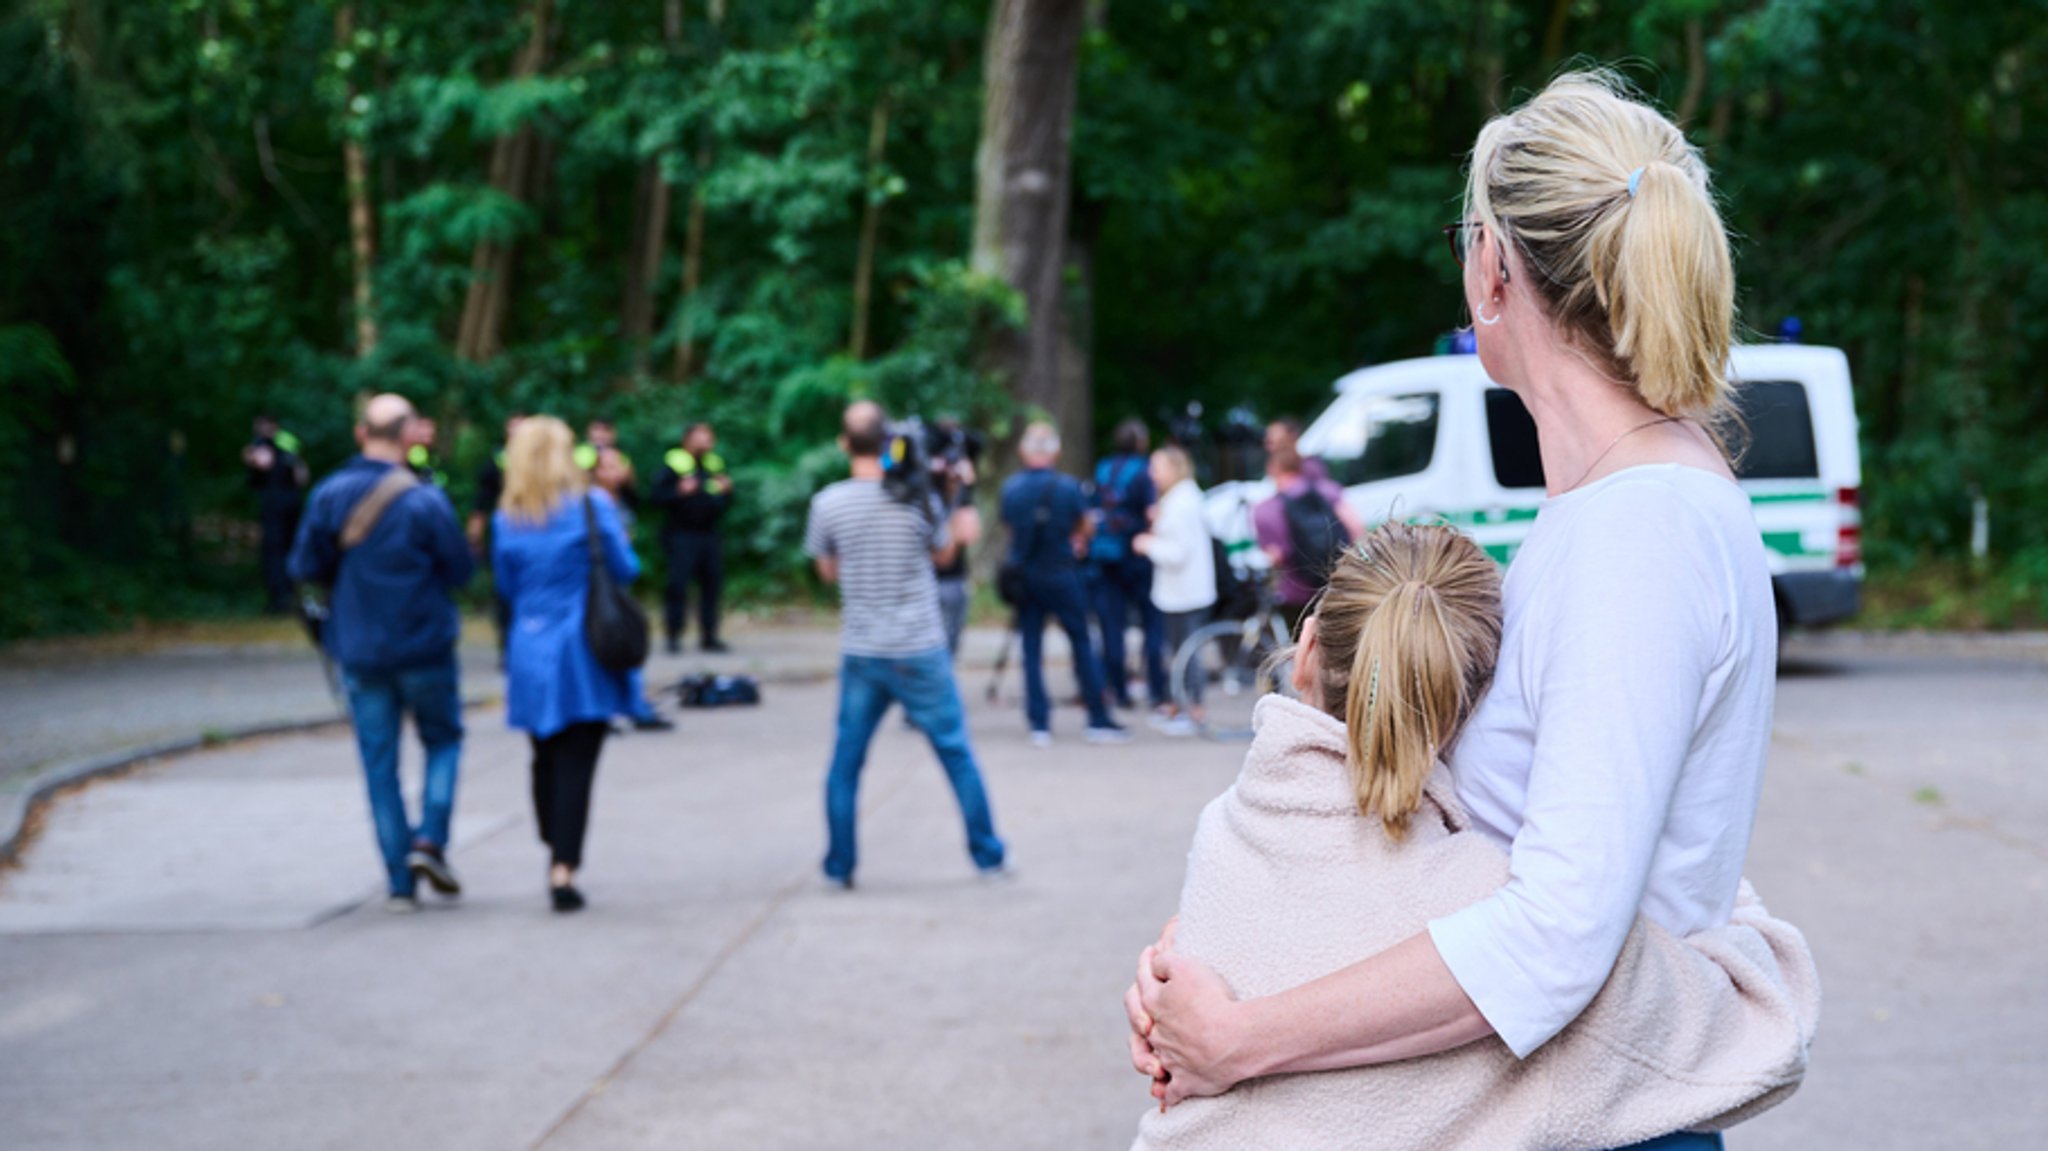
380	704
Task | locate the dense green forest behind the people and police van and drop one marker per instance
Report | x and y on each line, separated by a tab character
751	210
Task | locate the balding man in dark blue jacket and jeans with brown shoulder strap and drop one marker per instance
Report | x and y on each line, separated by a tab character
392	550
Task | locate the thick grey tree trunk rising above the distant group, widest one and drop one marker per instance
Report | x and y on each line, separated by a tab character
1023	183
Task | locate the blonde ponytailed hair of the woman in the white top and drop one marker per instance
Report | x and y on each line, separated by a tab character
1623	245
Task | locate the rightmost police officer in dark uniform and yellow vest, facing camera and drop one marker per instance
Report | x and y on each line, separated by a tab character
693	491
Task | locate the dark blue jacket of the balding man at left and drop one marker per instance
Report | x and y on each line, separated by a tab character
390	605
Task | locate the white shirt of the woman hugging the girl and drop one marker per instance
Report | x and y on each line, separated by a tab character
1621	749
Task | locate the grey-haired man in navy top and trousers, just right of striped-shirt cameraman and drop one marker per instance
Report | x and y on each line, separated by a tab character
1048	519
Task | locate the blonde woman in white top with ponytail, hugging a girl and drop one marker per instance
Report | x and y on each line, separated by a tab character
1619	753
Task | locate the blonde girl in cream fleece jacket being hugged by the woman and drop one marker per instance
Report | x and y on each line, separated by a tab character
1345	837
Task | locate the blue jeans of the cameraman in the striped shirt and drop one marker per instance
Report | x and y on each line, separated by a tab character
933	704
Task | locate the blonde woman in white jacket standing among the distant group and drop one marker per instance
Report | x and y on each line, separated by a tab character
1185	570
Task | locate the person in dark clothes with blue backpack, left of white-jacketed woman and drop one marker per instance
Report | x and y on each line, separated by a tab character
1119	579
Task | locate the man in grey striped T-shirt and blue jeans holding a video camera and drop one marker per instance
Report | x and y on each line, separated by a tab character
880	552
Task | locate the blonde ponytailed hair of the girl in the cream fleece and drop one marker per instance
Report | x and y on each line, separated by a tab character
1410	630
